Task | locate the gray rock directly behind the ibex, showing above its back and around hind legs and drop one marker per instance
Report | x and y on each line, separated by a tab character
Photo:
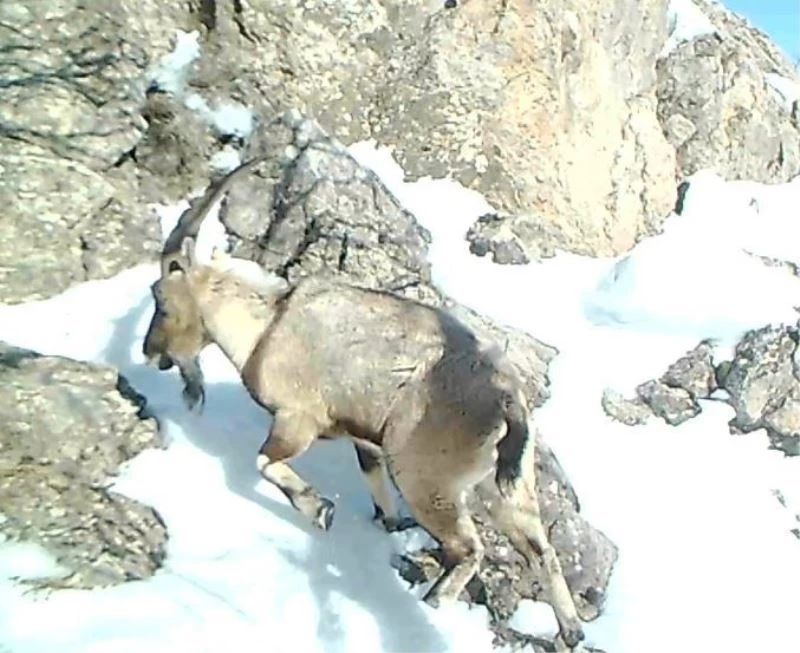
311	208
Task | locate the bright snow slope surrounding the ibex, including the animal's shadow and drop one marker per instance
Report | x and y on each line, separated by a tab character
691	508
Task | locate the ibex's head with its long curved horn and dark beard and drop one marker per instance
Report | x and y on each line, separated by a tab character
177	334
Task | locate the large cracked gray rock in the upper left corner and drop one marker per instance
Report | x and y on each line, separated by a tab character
68	119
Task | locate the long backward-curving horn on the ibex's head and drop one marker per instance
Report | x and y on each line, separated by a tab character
184	235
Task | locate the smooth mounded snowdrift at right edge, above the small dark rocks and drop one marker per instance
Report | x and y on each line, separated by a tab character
700	275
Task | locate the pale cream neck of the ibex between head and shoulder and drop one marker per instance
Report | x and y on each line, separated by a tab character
235	318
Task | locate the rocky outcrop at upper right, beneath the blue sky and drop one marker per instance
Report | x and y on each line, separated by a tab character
728	101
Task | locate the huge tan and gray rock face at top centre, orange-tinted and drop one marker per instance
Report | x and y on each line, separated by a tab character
547	109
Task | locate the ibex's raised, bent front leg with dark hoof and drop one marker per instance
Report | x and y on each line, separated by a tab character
293	433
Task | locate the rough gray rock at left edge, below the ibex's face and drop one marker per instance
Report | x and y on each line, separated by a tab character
65	428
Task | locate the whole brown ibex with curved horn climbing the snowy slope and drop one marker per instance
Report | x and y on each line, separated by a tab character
409	384
